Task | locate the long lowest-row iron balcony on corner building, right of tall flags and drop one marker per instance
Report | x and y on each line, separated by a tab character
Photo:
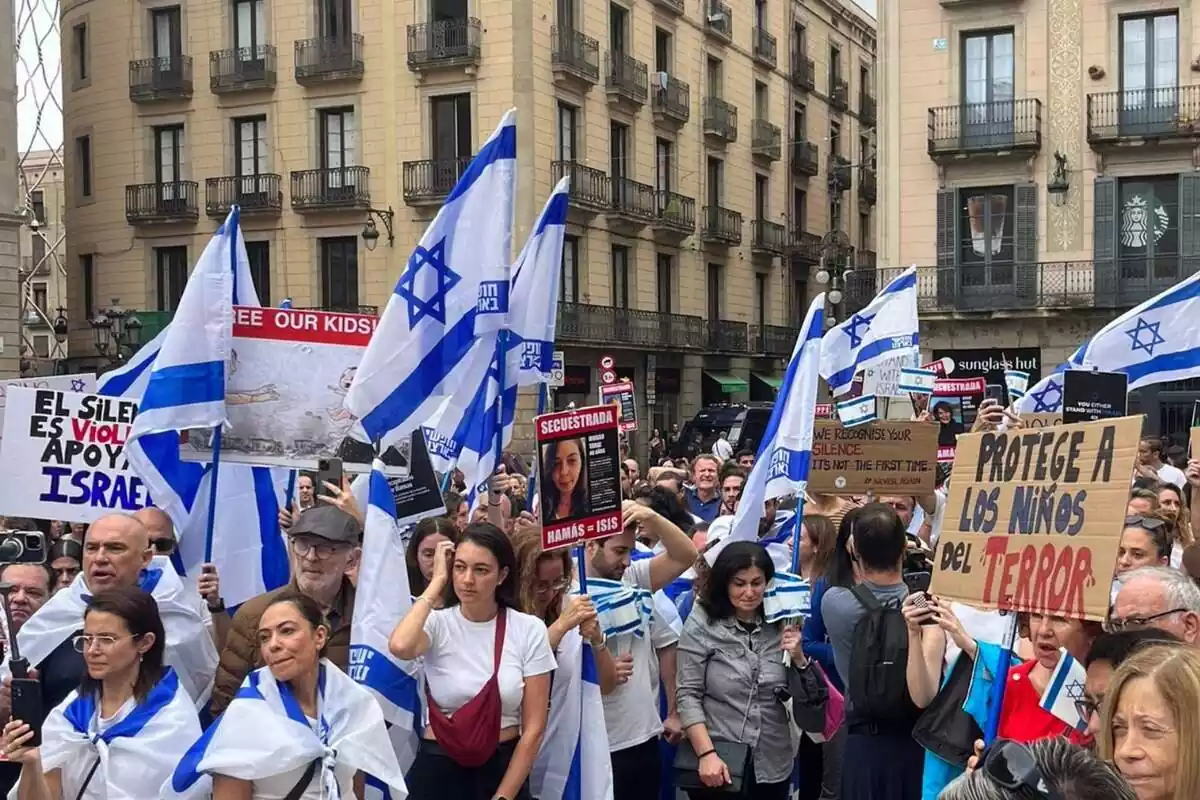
609	327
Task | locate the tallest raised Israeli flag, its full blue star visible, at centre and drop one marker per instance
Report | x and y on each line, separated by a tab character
453	291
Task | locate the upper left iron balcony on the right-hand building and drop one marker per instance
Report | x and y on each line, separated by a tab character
1000	128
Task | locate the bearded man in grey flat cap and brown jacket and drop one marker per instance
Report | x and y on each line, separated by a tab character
325	546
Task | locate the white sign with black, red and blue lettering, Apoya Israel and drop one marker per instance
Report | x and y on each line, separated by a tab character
65	456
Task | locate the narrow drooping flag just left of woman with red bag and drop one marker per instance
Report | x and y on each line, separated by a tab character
381	603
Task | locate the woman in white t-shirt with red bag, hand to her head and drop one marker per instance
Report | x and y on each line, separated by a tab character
487	712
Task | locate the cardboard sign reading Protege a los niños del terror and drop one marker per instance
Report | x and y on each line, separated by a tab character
1034	519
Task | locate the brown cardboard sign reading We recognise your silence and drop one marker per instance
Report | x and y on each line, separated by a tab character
884	458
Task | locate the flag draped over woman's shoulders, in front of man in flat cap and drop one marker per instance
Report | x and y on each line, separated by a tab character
265	735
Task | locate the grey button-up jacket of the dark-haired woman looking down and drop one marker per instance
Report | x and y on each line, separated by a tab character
728	678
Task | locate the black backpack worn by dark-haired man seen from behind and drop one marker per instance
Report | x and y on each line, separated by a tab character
879	660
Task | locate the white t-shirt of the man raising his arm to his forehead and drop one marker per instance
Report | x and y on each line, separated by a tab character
632	711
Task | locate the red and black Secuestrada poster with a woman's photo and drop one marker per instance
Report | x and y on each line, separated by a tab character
579	476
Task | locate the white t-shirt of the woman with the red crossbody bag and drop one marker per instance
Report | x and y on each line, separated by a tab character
463	654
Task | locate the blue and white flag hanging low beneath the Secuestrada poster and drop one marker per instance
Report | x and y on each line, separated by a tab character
574	761
